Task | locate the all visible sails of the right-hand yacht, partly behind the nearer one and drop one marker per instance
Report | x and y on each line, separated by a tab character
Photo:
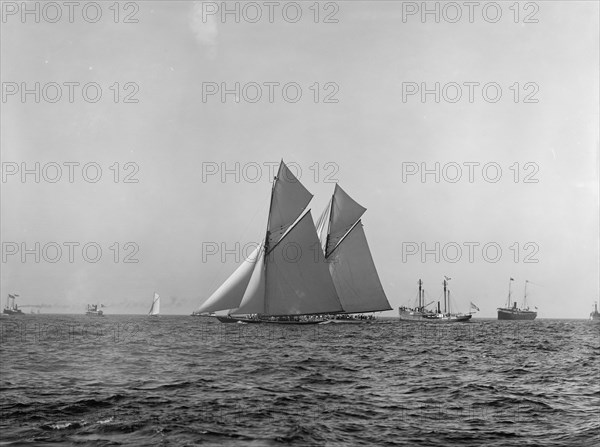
347	252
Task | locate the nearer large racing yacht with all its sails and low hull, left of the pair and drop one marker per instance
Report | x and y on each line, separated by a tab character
281	281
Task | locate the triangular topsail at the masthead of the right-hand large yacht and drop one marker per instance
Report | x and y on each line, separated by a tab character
345	212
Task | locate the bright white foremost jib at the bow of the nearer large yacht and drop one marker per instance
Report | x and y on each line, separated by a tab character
231	292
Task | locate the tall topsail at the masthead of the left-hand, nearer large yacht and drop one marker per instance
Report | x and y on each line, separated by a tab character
289	198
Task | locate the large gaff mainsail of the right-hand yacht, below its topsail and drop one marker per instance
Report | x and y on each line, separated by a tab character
355	276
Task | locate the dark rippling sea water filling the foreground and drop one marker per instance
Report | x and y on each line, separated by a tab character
182	380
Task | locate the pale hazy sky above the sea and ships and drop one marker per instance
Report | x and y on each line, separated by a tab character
178	177
